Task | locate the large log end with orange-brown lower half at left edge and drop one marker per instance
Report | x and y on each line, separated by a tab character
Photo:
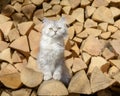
10	77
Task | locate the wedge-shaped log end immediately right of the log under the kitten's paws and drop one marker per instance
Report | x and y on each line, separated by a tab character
80	83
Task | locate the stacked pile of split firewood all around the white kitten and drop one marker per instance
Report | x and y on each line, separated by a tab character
92	49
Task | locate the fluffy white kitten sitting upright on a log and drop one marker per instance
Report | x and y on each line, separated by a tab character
51	55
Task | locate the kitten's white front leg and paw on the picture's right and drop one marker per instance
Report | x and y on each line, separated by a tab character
57	73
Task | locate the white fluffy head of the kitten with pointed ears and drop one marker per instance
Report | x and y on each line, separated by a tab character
55	29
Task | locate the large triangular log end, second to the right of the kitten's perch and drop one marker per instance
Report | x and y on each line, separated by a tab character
99	81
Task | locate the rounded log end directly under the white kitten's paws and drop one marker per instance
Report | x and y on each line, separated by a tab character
52	87
